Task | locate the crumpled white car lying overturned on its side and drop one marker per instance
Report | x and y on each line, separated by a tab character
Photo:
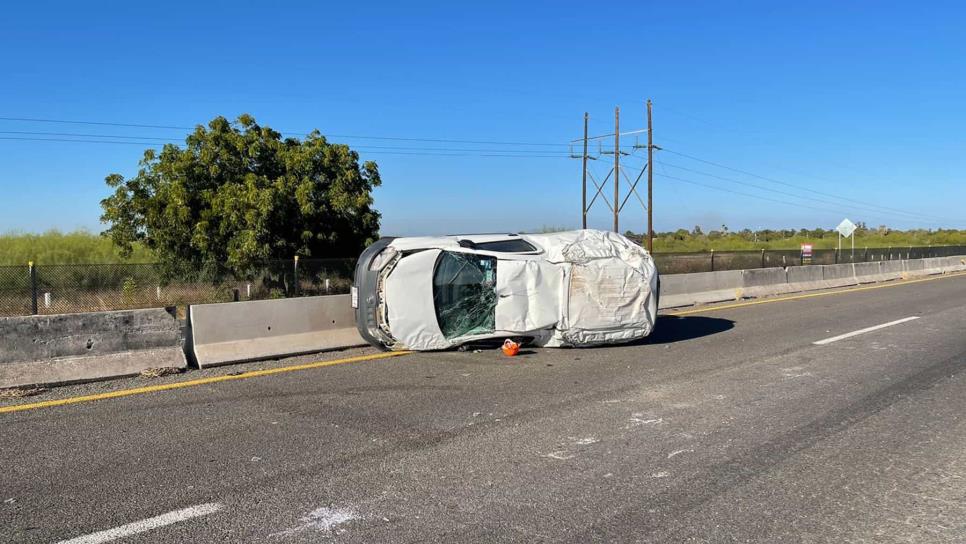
565	289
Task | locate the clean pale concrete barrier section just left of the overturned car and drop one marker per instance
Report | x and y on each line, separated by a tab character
235	332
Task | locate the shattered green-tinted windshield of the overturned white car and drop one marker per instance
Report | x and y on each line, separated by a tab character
464	294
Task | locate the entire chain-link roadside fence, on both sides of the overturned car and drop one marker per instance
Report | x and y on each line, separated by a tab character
58	289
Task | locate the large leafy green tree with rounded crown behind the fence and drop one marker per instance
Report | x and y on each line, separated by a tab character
238	193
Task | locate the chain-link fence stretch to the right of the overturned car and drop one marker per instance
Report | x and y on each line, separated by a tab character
709	261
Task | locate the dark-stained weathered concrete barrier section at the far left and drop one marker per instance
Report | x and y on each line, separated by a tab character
71	348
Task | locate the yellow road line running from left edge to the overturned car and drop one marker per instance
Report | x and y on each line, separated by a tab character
194	383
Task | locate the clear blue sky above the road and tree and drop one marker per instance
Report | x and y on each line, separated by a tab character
837	109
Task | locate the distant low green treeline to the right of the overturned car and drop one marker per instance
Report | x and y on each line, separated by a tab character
724	239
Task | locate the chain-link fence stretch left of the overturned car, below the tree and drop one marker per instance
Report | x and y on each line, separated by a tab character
58	289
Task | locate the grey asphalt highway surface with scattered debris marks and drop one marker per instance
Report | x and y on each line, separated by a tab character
765	422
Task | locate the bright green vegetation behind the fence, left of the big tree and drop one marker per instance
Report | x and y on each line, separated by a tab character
54	247
